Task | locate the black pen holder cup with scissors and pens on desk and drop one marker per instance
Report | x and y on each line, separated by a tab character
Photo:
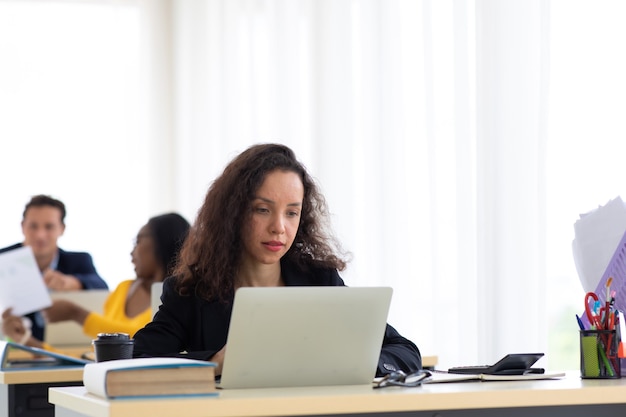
598	354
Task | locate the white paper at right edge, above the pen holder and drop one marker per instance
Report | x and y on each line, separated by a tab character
597	235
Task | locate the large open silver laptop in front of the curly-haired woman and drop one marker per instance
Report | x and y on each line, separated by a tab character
305	336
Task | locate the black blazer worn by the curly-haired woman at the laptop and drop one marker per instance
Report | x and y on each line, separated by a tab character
200	327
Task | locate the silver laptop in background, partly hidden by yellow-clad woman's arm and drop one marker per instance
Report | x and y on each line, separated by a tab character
70	333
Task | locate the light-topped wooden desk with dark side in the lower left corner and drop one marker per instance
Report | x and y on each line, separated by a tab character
24	393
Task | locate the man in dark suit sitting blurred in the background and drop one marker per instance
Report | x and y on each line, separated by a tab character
43	223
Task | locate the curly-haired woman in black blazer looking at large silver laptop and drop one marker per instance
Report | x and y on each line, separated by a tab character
263	223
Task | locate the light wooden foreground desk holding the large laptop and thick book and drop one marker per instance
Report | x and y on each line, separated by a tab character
570	397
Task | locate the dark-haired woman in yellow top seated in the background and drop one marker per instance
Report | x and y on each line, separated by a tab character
127	308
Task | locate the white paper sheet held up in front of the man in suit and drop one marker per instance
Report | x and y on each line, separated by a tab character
21	284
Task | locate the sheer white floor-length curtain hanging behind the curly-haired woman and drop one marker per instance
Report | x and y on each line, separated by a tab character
424	124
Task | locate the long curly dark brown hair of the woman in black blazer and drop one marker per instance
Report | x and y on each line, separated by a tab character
211	253
